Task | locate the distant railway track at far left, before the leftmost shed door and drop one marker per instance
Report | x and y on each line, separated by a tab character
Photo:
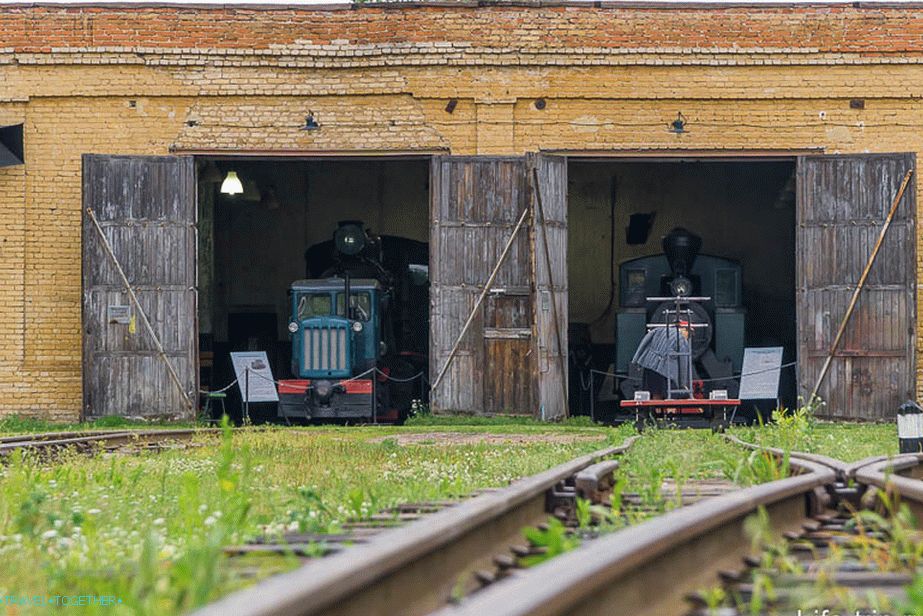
96	439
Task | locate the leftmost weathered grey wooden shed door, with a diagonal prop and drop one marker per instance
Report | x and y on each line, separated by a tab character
146	207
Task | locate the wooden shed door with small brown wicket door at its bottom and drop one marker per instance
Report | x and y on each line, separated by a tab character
476	202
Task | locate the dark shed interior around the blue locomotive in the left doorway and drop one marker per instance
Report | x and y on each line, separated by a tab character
254	245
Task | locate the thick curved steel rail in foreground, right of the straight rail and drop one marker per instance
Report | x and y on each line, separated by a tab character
648	568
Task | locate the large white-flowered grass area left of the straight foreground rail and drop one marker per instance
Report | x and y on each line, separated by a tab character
150	529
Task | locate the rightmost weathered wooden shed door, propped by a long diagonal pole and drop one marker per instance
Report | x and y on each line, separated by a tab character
842	204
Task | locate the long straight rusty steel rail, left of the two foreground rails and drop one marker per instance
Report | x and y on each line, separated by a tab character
412	569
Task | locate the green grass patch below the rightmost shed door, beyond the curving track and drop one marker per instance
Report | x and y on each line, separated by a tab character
799	431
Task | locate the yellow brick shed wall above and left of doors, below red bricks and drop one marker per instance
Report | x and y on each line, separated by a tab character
123	105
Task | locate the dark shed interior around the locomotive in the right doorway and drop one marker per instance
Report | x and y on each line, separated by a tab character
744	210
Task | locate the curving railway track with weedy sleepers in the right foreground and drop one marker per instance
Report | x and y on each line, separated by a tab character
816	550
